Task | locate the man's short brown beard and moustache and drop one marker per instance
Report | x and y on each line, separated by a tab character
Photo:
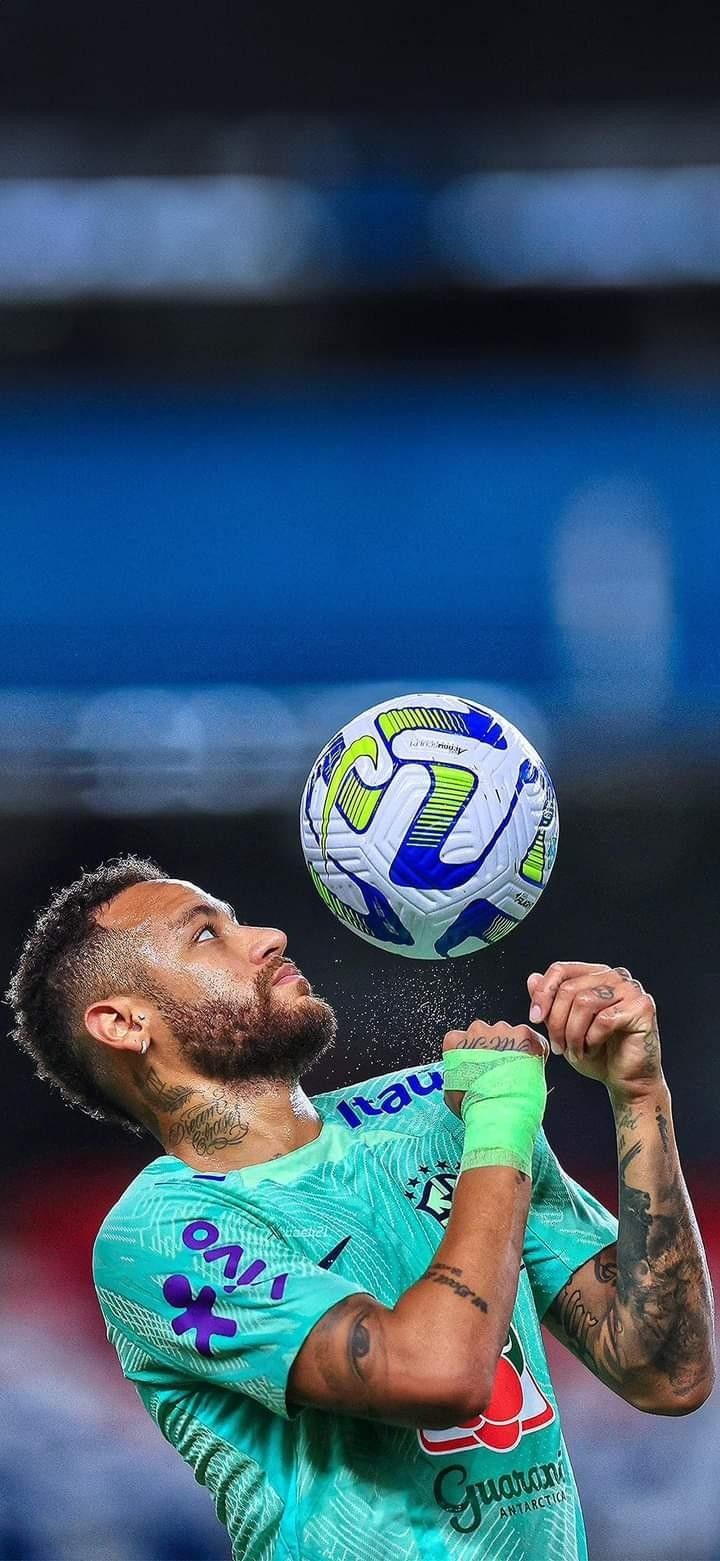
241	1039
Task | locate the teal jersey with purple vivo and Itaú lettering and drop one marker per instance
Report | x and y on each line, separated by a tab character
210	1284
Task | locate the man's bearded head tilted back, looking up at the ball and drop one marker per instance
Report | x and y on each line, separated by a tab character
129	964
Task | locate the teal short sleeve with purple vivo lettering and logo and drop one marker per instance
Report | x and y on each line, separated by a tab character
224	1300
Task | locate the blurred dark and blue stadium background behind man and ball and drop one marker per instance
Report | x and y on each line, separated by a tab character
346	354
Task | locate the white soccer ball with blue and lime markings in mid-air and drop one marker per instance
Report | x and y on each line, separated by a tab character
430	827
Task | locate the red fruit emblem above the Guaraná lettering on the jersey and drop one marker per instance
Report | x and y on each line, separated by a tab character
518	1406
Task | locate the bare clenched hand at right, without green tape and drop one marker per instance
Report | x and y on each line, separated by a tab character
602	1022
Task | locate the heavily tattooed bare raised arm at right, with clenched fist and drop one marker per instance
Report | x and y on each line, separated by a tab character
640	1315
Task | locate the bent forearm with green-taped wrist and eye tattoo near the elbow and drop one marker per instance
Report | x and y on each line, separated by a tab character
432	1359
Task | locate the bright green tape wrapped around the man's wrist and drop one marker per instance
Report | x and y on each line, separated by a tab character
502	1109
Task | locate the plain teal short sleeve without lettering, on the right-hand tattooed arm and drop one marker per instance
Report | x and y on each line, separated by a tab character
566	1228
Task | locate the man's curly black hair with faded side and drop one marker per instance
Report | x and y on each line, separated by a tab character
70	961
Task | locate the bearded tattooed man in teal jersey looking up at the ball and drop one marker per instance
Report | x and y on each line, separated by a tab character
333	1307
